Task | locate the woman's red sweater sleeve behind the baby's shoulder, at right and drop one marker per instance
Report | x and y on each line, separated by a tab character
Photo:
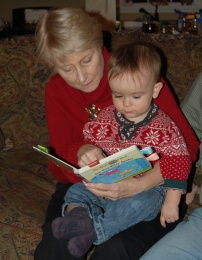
171	108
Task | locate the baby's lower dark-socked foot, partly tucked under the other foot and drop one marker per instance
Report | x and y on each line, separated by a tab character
79	246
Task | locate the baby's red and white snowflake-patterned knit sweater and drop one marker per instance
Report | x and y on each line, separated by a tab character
161	133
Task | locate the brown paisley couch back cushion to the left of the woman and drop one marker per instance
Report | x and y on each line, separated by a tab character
22	86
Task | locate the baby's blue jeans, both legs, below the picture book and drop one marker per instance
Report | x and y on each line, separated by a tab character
111	217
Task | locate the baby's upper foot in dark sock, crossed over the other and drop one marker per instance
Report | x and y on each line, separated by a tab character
76	223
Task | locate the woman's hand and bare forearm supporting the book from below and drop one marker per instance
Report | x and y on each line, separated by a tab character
127	187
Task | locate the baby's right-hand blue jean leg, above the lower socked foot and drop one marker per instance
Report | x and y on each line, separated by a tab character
124	213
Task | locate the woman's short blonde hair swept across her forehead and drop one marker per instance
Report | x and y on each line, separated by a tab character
64	31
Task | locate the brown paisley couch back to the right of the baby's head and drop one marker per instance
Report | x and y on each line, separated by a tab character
182	56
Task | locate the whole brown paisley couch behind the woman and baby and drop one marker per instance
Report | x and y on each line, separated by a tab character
25	182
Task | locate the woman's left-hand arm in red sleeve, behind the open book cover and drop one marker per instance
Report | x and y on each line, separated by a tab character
65	131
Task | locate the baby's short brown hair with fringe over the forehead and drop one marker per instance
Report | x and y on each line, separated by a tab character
132	56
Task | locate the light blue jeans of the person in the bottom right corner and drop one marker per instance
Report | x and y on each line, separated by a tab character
184	242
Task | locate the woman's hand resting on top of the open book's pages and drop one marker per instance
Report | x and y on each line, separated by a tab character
89	153
